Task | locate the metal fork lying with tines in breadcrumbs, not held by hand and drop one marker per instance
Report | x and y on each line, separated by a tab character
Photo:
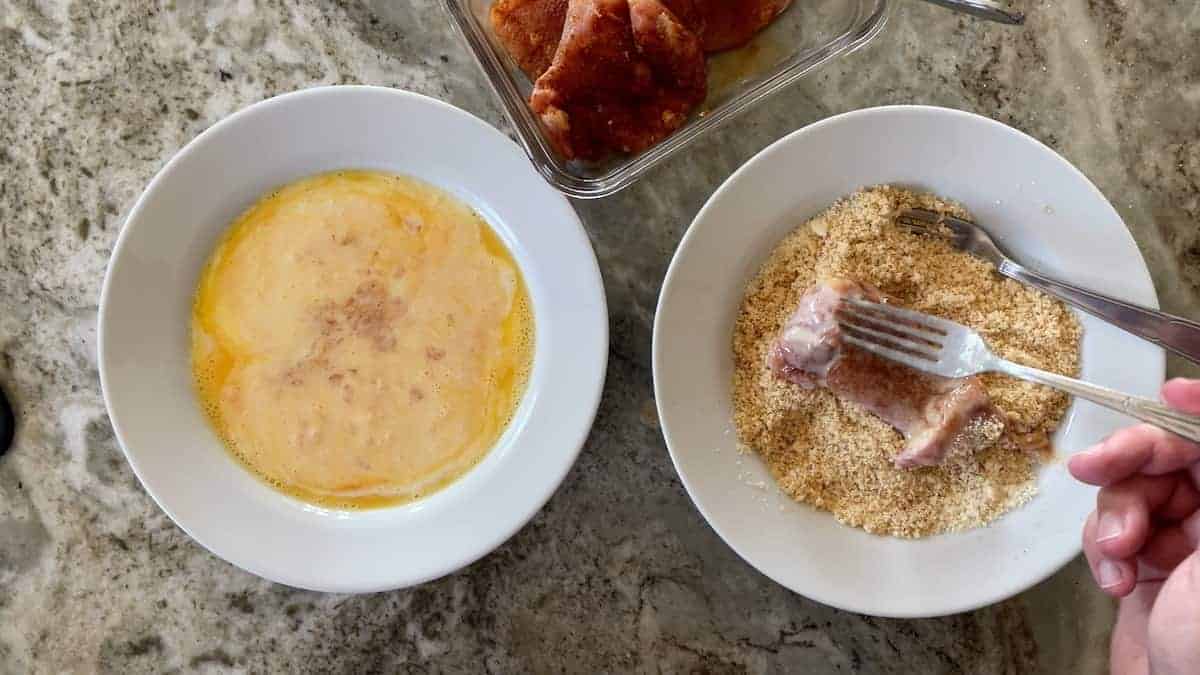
1174	333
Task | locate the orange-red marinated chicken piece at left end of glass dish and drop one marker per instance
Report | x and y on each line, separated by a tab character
530	31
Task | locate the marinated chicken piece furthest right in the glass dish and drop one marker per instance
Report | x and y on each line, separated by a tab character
725	25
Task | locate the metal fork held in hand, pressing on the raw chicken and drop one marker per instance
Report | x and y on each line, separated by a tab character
950	350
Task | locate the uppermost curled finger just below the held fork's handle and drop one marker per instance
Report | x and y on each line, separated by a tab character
1137	450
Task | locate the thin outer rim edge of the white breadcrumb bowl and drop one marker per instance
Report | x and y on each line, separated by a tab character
819	595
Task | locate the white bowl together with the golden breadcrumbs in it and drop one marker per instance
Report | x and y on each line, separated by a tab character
805	485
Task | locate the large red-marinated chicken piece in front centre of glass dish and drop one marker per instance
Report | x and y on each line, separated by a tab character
627	74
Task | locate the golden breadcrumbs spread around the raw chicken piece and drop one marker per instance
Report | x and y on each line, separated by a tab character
836	456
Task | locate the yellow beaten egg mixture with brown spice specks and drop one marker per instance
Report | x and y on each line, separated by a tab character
361	339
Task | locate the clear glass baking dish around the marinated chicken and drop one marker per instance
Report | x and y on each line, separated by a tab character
808	35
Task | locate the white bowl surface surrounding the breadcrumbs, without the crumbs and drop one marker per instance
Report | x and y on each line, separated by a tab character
1041	208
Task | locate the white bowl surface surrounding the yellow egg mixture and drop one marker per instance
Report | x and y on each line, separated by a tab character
145	339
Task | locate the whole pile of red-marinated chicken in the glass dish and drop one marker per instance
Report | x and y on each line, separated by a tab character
621	75
